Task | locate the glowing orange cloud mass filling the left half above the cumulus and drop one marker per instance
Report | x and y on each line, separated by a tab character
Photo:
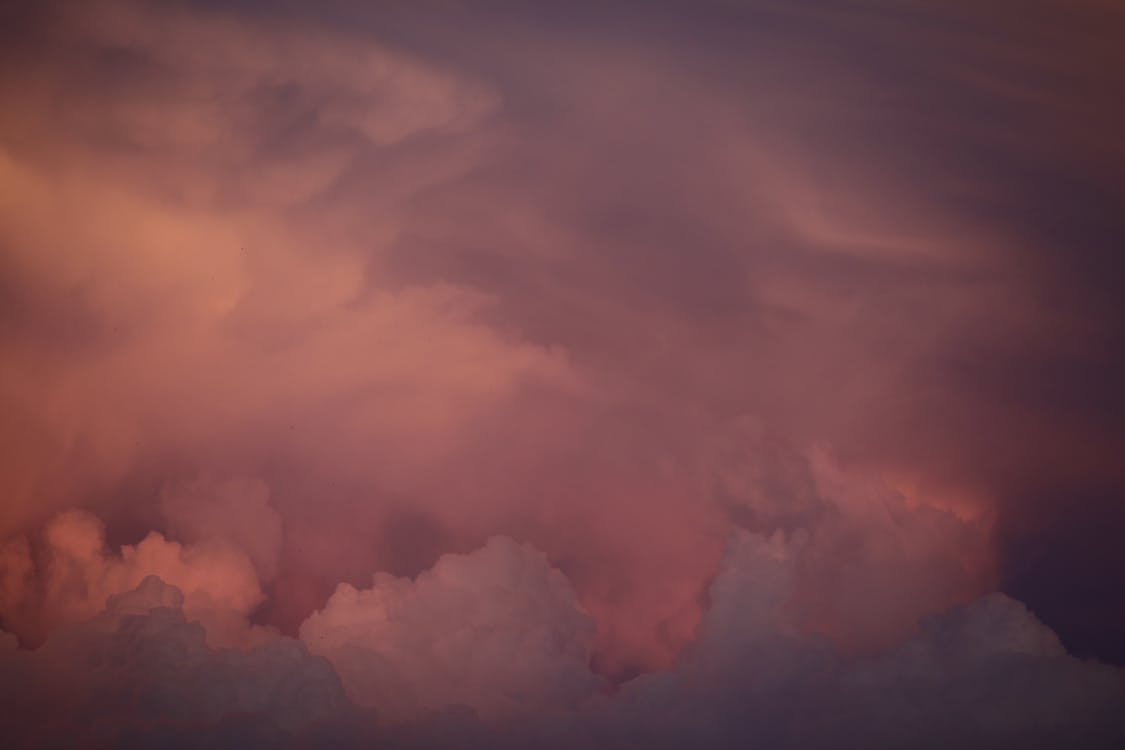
230	304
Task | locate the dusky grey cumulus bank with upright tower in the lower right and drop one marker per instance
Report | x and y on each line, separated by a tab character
985	675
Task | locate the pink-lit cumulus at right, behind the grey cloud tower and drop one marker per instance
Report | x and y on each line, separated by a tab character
875	562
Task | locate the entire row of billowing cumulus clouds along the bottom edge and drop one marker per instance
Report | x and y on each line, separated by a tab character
490	649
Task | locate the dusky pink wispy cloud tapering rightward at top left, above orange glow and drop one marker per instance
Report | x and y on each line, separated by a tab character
255	115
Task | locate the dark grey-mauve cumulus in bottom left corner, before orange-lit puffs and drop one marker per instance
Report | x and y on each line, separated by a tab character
140	667
